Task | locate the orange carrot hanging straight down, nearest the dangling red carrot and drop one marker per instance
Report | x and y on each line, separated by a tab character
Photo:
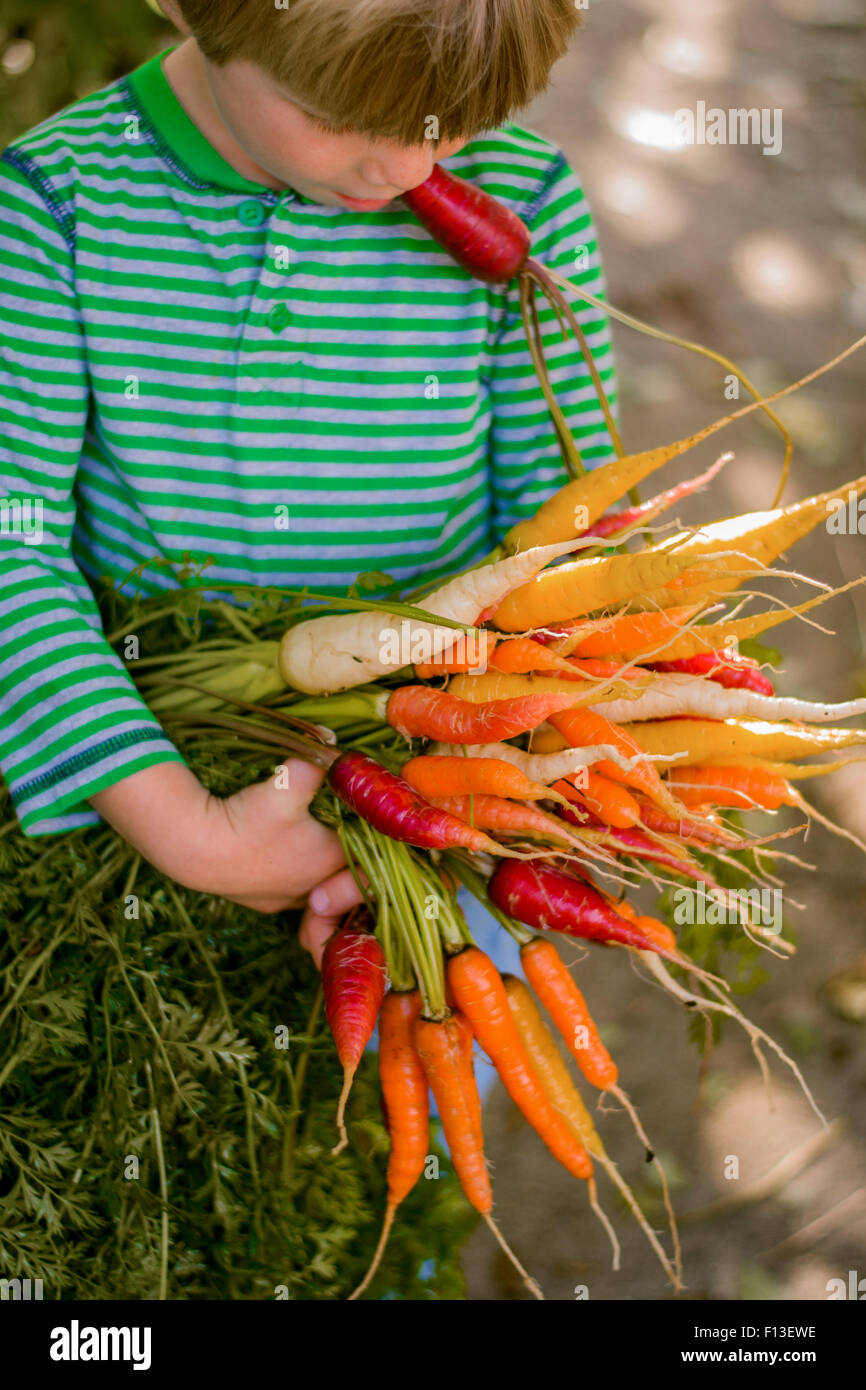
407	1111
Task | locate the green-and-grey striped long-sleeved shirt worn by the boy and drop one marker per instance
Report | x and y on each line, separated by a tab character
194	365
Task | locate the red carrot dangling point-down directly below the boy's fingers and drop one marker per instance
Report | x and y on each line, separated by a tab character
354	985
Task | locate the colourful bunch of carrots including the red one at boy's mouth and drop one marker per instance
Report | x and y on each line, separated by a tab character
578	714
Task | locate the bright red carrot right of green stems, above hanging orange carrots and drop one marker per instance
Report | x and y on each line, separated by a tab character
551	900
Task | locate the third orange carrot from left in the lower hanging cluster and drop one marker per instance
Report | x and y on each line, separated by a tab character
482	999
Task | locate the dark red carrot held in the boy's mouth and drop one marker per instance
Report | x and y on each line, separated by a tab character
479	233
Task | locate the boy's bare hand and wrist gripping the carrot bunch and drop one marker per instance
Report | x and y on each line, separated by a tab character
259	849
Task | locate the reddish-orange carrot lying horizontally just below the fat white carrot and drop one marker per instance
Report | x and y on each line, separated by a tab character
422	712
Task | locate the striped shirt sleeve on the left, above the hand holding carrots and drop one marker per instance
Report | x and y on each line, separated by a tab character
72	721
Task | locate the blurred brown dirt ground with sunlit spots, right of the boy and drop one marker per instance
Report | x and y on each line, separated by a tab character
764	259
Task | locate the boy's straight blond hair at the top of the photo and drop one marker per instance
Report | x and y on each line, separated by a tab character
389	67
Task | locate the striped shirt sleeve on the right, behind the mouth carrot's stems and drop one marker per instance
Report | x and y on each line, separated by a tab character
526	462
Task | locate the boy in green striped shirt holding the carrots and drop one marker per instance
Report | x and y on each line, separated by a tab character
218	309
